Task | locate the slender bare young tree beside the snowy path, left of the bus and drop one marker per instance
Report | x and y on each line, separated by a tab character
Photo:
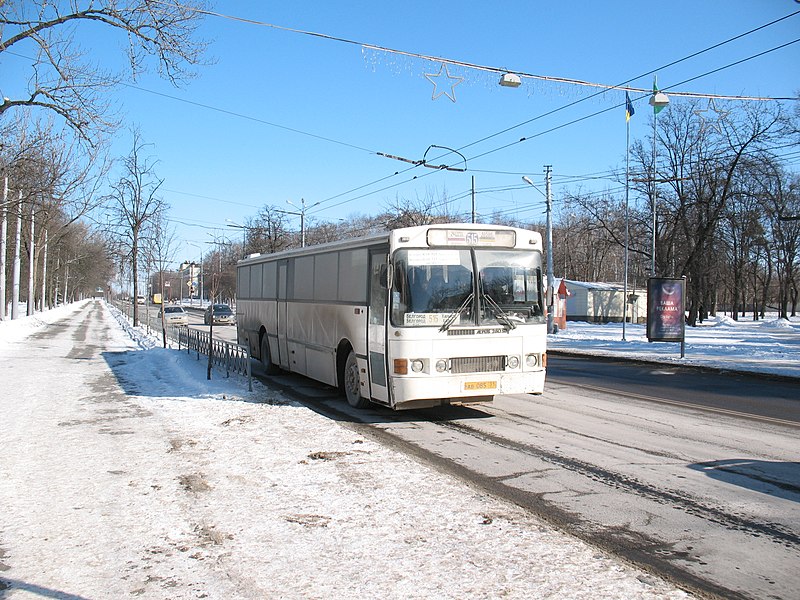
133	205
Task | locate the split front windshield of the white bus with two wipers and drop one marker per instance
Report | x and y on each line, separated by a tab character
439	287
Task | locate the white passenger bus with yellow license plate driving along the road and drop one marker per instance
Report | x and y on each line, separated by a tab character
410	318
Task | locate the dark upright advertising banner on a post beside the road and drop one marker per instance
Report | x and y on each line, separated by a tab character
665	309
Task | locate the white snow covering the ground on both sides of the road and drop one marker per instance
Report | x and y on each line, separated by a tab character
126	473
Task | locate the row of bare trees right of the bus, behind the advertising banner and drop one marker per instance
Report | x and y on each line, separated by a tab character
724	203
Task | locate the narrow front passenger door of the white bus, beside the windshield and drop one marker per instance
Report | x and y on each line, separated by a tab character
376	325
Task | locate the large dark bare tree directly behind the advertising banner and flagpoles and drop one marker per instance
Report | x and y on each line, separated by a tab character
705	162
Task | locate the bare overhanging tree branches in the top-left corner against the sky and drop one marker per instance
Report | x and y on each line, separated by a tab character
65	80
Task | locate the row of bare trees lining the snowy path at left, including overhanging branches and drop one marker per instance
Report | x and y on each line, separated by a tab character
55	123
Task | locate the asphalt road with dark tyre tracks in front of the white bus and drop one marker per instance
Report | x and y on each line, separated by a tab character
693	475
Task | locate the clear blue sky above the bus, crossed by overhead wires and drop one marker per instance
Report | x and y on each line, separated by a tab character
288	116
